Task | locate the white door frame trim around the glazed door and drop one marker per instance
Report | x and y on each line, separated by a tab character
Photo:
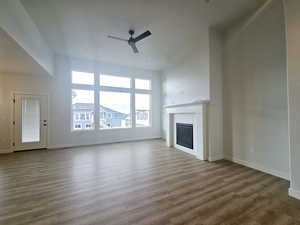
12	116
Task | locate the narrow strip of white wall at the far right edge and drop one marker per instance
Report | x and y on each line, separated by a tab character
293	49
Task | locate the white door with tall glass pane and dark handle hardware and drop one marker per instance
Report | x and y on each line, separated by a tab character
30	121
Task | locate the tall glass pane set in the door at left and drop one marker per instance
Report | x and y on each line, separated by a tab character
30	120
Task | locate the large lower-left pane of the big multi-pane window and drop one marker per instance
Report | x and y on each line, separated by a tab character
83	109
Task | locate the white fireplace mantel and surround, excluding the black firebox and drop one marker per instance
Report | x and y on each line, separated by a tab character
196	112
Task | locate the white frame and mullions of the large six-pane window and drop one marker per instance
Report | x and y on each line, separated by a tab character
97	88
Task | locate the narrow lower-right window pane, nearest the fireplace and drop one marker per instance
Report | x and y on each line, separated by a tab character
142	110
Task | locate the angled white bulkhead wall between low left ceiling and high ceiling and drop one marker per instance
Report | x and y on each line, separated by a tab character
17	23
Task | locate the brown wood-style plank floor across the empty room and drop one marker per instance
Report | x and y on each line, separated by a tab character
139	183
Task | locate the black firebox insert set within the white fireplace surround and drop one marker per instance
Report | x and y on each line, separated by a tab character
184	135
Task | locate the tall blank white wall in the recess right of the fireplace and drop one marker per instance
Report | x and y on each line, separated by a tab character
255	92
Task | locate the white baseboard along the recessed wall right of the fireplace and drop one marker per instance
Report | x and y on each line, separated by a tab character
255	166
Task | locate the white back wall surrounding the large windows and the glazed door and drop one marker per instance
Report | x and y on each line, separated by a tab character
59	90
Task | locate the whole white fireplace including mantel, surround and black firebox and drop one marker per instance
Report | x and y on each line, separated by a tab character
186	125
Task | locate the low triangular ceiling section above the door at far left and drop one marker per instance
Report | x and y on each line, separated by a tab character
14	59
